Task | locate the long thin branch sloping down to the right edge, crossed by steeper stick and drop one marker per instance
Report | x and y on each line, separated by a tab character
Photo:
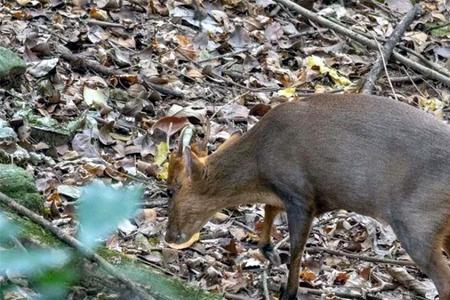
365	41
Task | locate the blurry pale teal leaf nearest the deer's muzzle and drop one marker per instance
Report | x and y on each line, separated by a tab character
102	208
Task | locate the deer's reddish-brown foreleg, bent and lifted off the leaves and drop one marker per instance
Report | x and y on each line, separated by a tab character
265	243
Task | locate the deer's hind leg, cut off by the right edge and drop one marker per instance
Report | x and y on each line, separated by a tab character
424	243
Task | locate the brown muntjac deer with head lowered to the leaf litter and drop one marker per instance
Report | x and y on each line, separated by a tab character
367	154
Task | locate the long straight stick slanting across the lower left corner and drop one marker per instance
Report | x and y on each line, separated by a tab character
69	240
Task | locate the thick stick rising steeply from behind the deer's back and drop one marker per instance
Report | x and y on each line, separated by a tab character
388	48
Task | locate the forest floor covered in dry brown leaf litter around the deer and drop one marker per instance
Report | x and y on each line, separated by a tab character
110	71
